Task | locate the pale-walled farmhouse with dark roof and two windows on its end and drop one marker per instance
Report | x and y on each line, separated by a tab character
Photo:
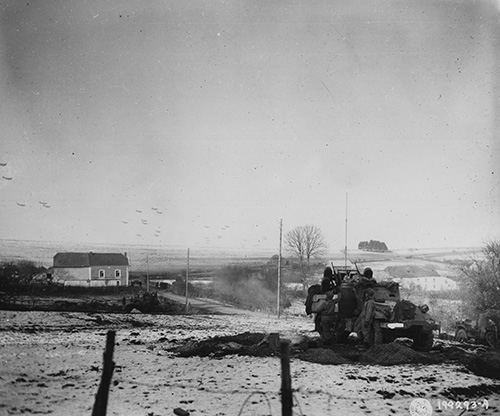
91	269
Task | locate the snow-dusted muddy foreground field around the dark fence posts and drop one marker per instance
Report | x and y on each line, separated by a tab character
50	363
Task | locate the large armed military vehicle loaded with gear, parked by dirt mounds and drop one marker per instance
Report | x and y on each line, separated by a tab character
394	317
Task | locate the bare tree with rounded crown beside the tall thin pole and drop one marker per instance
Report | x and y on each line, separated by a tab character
305	242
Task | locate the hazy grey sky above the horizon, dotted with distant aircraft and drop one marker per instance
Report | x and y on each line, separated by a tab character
215	119
